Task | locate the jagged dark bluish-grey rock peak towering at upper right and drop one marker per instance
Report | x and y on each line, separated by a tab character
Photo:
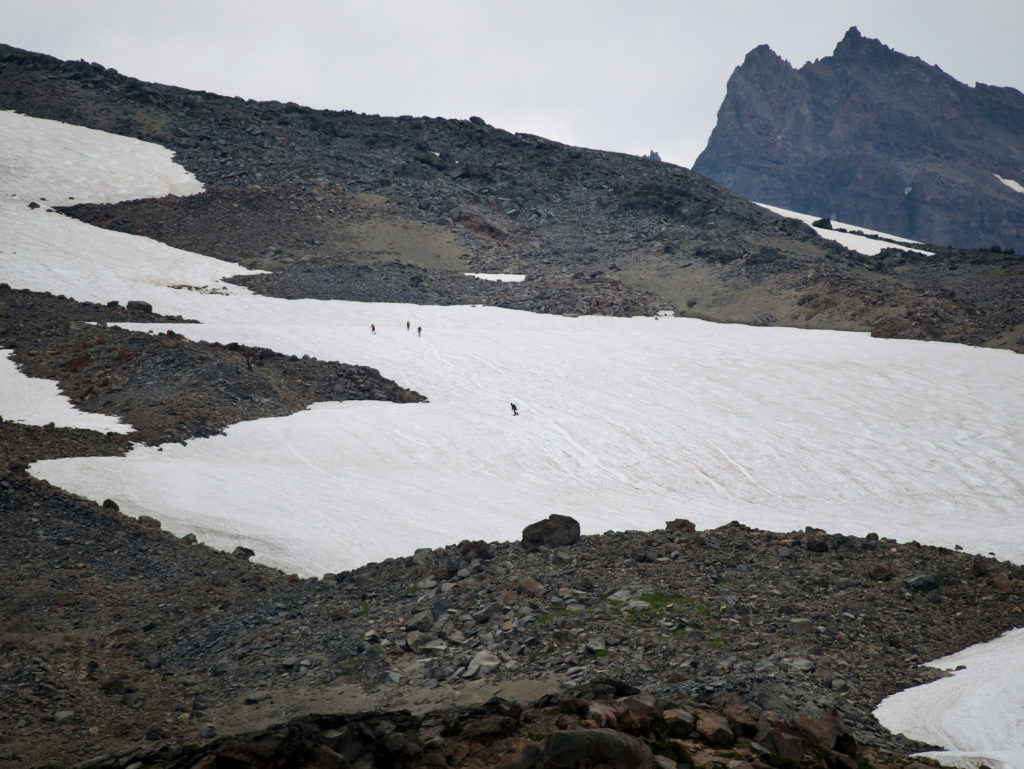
875	138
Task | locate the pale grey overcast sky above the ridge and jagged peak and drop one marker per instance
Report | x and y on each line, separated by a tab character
613	75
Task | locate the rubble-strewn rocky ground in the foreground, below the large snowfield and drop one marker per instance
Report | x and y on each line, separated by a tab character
124	642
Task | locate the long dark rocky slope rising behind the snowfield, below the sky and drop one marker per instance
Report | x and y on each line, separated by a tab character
339	205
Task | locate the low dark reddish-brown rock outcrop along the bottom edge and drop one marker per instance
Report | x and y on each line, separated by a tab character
559	732
